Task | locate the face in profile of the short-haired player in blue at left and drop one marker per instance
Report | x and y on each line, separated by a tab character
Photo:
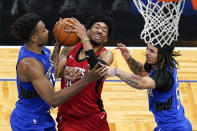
42	34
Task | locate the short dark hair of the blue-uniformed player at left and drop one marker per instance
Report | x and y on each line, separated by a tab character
24	26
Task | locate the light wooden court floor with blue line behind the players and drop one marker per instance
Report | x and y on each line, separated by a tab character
127	108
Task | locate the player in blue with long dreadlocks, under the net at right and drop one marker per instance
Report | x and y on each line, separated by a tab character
162	85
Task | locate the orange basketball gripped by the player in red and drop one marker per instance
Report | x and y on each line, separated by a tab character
65	38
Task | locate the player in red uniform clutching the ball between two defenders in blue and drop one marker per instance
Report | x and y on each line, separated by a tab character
85	112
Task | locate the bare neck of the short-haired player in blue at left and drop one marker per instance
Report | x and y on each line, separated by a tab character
32	46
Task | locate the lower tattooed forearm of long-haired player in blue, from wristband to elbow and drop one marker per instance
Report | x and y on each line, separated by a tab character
135	81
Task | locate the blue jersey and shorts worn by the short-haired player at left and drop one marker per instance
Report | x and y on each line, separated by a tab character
31	111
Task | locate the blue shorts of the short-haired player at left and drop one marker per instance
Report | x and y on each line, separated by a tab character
21	121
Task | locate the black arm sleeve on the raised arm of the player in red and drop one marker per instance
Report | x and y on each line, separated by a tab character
91	58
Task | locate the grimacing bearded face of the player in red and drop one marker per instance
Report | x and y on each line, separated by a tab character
98	33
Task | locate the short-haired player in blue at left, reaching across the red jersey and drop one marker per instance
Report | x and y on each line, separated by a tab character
35	78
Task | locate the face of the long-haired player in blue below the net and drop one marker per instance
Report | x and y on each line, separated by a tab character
151	54
